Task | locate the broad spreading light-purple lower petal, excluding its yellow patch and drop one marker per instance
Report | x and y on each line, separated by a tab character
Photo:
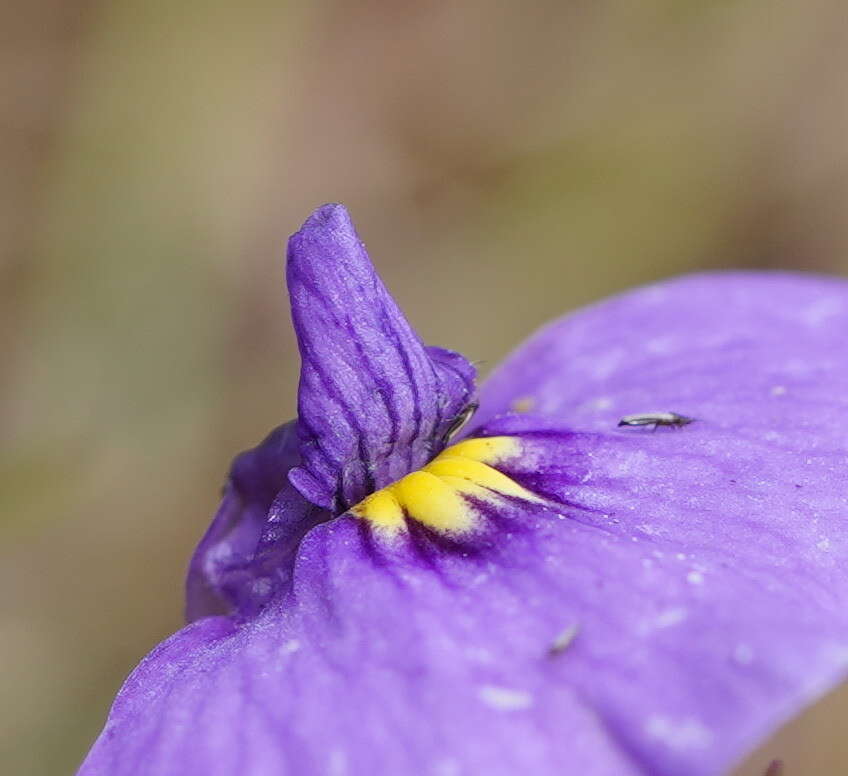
678	595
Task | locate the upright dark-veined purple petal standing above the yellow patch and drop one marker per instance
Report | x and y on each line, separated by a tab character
373	402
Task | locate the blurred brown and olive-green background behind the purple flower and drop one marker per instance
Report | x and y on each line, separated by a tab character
505	163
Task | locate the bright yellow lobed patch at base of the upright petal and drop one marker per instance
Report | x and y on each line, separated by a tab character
434	495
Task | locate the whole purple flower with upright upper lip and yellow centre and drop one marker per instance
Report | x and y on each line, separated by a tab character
545	593
